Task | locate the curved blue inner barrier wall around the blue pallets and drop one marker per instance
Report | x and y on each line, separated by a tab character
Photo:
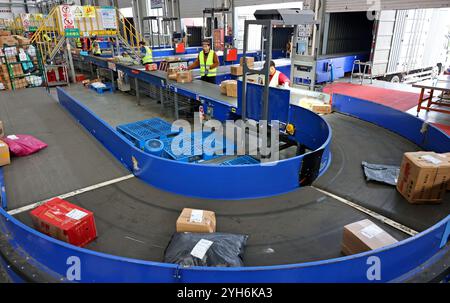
259	181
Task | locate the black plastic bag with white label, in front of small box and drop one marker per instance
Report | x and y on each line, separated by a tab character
226	250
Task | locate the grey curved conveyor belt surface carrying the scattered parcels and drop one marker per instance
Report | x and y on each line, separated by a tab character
136	220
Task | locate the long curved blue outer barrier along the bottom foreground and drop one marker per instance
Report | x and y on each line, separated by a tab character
391	262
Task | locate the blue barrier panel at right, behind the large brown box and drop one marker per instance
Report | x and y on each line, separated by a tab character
404	124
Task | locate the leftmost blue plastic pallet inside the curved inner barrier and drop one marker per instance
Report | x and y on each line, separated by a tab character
141	131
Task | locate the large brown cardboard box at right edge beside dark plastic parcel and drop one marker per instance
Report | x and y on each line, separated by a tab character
423	177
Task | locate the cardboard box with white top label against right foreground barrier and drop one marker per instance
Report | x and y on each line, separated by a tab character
363	236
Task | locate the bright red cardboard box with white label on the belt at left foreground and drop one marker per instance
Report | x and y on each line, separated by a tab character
64	221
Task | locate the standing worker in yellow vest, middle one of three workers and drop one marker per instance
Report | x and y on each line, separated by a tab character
208	62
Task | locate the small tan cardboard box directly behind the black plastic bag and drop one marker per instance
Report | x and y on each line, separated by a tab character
196	221
